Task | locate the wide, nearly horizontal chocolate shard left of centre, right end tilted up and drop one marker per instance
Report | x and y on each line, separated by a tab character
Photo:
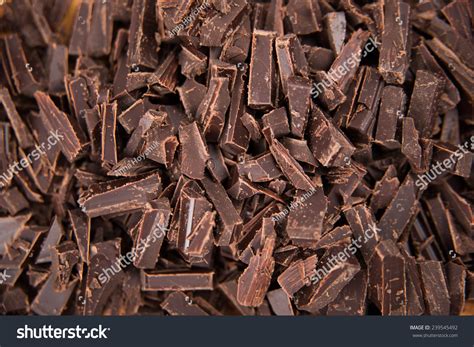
120	196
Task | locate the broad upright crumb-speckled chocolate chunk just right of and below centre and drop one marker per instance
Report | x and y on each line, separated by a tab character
306	215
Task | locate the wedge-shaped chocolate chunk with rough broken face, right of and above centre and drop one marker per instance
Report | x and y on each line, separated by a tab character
329	145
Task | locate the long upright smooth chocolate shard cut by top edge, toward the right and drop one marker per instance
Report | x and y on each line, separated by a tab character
395	49
